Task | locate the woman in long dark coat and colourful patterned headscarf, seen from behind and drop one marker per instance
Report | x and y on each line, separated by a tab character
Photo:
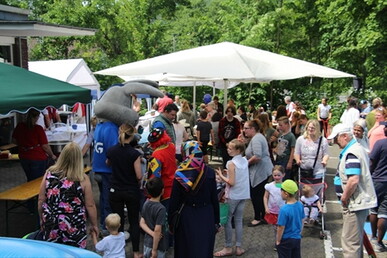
194	192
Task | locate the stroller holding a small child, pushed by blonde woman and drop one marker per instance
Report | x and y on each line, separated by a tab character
319	186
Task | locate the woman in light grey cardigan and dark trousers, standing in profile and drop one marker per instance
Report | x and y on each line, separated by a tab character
260	168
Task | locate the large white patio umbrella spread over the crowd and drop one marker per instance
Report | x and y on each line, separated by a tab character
227	61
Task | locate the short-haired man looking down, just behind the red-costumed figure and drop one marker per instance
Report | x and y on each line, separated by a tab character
165	120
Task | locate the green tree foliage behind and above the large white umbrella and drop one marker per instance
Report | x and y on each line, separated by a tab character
345	35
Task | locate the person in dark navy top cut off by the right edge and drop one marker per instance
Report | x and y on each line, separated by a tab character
378	217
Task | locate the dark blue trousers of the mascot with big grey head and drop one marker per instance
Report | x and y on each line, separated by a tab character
103	180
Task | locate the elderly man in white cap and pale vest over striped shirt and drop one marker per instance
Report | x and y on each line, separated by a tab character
358	193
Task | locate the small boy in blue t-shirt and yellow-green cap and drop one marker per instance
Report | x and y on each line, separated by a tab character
290	222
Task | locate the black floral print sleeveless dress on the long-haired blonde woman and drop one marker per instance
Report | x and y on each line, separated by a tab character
64	212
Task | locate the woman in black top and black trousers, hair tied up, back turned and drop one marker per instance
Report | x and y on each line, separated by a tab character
124	183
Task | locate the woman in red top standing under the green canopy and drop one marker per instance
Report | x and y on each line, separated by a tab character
33	146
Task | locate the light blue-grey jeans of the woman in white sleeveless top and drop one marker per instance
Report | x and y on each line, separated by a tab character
236	208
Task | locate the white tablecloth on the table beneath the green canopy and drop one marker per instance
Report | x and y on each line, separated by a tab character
67	133
